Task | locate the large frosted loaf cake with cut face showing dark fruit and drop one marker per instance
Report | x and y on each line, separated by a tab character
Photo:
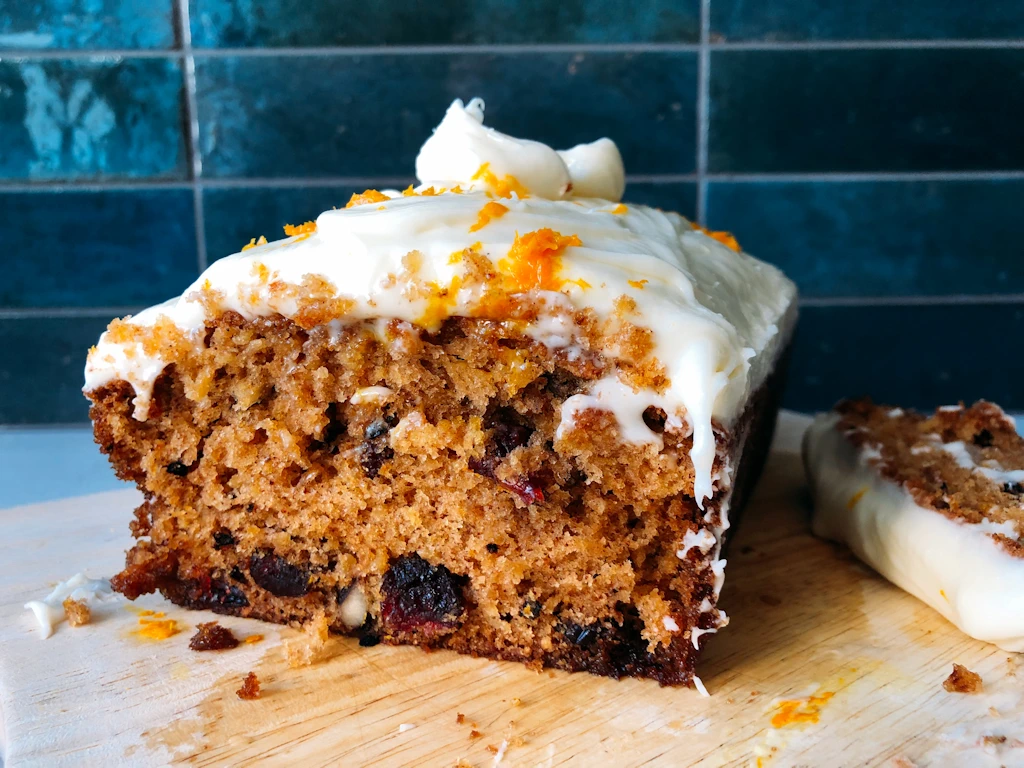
501	413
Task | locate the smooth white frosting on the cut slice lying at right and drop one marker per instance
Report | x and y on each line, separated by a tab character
956	568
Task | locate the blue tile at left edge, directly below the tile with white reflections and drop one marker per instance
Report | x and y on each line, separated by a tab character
109	248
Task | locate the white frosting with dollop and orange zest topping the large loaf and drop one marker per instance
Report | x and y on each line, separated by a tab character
551	225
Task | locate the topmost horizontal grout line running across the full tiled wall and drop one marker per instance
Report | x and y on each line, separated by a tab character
513	49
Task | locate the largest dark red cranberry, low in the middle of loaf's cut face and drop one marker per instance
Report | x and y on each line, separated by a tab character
420	598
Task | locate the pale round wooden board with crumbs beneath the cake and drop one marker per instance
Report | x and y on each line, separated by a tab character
823	665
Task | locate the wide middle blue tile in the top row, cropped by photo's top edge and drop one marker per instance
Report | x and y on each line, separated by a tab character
306	23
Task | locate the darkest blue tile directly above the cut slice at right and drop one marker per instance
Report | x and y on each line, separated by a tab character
908	356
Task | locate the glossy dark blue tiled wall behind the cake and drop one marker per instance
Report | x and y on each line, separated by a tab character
875	151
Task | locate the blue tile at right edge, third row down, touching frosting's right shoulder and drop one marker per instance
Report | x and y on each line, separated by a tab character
881	238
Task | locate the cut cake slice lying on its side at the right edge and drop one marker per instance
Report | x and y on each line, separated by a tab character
935	504
